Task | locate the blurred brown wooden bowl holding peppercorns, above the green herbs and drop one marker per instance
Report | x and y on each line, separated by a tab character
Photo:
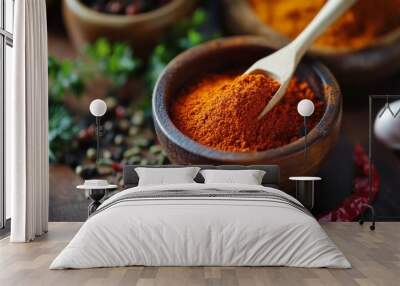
142	31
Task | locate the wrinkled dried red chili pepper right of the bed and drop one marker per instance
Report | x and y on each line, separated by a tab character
353	206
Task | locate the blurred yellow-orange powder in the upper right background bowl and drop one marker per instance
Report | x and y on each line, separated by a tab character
366	21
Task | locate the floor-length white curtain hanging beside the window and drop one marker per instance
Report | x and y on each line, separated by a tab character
27	172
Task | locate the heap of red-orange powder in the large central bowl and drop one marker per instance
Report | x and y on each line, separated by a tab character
220	111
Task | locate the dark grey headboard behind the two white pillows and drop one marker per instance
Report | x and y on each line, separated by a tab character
271	177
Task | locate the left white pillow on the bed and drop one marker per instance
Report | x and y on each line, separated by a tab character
163	176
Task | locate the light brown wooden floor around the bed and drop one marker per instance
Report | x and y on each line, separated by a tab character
375	257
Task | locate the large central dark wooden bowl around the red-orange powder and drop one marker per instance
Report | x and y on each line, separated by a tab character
239	53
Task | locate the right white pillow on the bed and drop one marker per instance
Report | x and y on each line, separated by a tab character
248	177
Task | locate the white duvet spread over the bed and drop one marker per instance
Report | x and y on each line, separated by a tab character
200	231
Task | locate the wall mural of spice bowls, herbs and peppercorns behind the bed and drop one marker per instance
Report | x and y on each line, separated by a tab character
94	55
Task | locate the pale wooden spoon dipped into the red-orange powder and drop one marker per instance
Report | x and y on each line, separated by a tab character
282	63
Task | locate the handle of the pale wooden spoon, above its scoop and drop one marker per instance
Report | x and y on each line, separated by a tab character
332	10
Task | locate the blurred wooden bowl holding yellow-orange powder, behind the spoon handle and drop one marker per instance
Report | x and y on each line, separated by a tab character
350	66
